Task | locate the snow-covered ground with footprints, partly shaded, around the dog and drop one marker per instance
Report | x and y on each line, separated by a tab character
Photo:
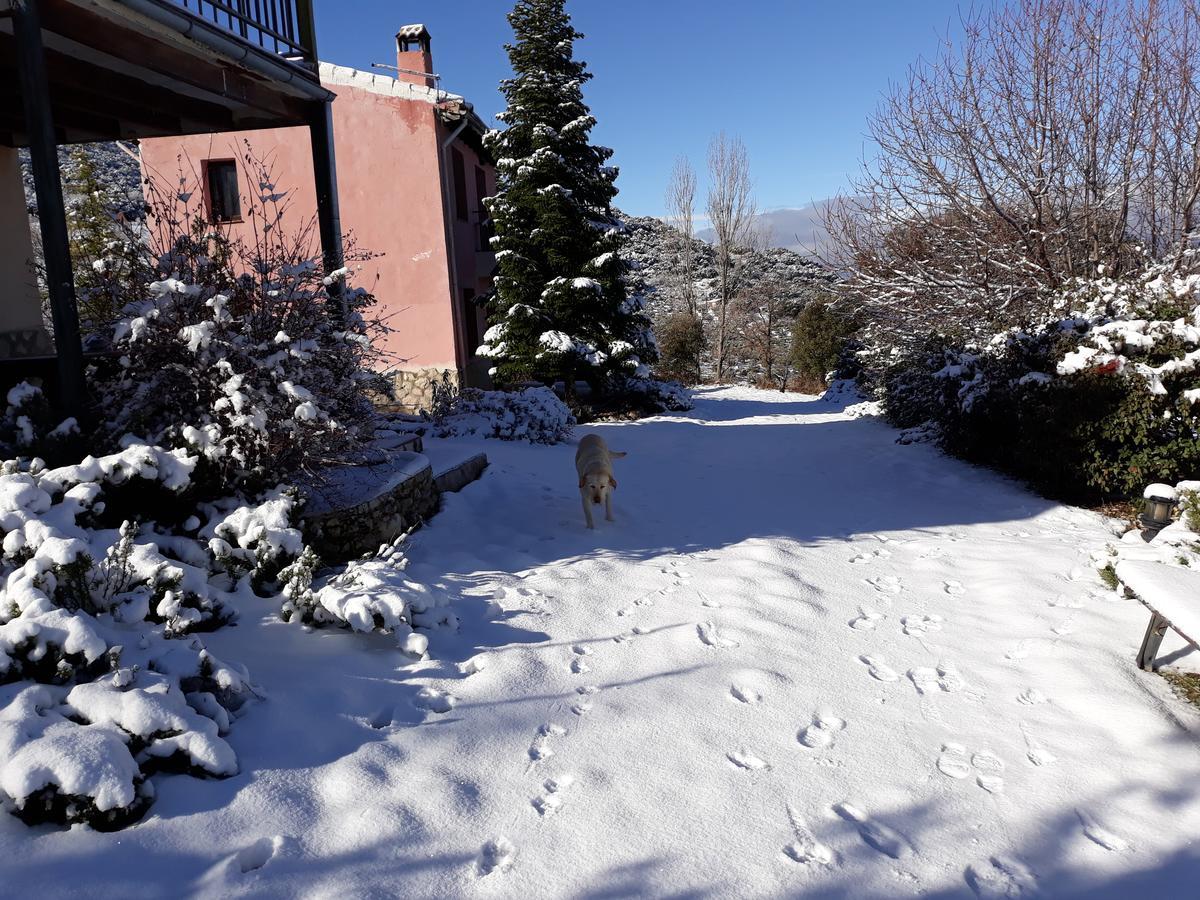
805	661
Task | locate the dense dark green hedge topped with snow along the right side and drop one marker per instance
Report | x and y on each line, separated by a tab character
1096	404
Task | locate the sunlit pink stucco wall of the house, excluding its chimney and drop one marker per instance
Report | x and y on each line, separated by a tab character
388	142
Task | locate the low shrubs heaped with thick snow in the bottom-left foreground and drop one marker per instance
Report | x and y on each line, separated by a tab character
103	687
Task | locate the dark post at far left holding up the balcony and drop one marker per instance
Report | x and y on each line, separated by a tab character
44	157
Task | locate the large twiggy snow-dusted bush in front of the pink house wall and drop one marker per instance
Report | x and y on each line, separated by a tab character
247	353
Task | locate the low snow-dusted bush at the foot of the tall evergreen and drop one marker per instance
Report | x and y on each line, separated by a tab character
535	415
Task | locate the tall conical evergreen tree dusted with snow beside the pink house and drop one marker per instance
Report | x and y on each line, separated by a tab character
560	309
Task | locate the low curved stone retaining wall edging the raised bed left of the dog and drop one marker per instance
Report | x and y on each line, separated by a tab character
349	533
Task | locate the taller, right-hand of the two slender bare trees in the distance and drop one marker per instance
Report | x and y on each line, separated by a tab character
731	212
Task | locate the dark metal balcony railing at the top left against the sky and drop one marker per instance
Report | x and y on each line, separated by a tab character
280	27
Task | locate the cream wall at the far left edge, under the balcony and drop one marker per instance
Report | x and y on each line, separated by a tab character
22	333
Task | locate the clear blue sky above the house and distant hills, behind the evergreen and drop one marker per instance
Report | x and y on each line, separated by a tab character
795	79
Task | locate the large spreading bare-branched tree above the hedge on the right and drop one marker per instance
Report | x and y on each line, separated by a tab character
1058	139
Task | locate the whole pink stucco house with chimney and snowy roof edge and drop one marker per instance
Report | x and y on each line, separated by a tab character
412	175
